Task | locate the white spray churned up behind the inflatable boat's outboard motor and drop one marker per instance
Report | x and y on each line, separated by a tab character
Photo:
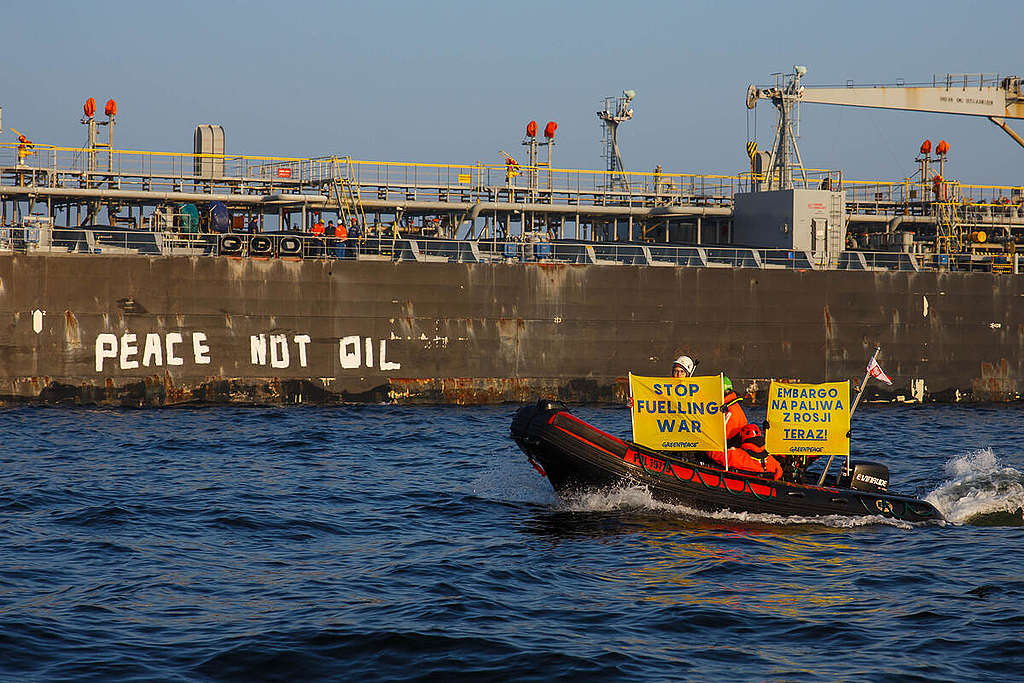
980	492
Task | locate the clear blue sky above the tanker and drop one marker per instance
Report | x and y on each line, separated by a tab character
457	81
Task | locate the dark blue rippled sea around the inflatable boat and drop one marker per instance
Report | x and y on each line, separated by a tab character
390	543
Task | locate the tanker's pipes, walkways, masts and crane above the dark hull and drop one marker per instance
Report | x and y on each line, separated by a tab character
778	204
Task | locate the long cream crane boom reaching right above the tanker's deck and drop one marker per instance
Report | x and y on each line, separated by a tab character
968	95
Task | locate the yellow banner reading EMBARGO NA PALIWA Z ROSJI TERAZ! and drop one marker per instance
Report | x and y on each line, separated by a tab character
808	419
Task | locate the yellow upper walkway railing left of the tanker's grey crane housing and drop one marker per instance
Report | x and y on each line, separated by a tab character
162	170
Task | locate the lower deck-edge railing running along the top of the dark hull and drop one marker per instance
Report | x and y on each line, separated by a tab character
385	244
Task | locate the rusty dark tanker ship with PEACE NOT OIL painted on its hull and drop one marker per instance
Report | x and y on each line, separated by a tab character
134	278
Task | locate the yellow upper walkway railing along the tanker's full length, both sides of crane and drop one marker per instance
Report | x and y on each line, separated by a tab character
173	170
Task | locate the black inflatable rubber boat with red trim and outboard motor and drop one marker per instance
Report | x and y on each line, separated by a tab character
577	456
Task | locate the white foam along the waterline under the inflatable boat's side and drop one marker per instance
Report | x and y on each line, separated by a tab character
637	497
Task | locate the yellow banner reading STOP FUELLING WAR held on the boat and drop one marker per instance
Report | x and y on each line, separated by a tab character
678	414
